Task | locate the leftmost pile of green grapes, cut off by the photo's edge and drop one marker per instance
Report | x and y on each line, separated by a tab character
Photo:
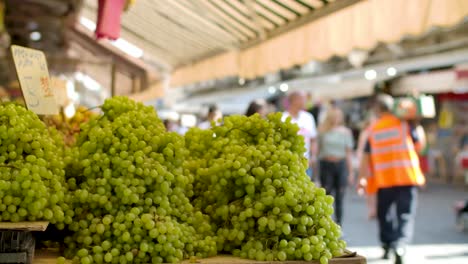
32	175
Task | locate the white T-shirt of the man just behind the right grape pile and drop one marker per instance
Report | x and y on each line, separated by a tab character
307	127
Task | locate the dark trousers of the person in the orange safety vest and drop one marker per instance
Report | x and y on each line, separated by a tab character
396	226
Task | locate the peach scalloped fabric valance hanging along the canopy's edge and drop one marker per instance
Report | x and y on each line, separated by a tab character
360	26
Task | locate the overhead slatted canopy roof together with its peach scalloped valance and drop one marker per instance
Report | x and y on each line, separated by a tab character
200	40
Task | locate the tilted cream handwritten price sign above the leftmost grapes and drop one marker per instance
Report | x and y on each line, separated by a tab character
33	75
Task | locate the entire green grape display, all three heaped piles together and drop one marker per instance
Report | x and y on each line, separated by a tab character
128	191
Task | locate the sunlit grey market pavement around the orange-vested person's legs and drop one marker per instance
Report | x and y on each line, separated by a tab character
436	240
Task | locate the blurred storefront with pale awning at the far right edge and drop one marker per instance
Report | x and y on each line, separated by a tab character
446	131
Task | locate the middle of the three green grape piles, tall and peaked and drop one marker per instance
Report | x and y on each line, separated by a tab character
131	196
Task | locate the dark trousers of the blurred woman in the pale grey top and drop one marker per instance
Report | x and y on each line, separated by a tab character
333	179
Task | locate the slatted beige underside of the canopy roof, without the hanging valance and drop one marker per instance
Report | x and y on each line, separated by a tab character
178	32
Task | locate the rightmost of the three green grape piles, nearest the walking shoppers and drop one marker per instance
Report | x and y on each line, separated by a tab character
251	180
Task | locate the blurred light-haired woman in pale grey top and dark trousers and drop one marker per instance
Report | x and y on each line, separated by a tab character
335	146
